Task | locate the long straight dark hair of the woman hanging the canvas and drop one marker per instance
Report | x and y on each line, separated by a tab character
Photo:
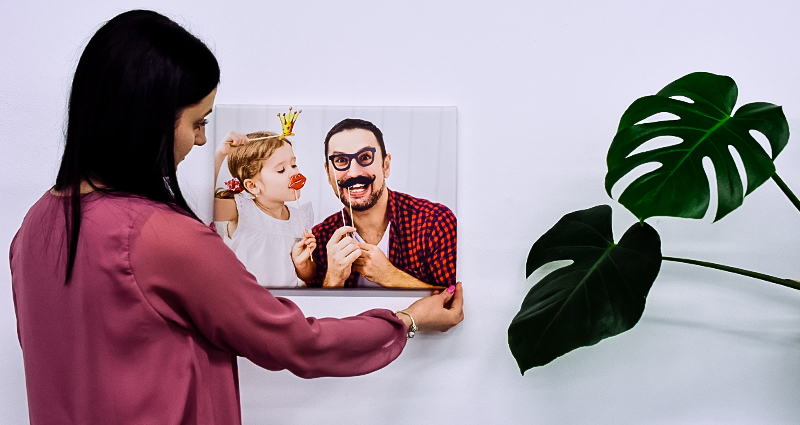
136	75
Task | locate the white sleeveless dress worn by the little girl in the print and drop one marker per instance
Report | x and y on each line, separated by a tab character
264	243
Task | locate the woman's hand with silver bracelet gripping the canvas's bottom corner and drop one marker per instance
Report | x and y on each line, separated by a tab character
439	312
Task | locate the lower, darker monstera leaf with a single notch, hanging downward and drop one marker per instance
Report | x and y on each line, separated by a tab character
601	294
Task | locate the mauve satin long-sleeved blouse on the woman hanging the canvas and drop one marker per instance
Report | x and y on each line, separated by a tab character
149	328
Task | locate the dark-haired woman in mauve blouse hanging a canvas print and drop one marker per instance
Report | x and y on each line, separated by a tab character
129	309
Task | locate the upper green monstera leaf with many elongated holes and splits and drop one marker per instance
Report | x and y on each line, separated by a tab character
679	187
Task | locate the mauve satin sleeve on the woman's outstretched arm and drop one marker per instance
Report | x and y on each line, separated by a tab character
191	278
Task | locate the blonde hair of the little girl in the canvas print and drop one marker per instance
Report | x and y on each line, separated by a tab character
247	160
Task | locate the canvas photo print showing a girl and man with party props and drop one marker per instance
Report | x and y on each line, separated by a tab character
388	173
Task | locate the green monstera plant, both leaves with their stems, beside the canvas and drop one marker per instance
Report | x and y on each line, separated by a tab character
602	292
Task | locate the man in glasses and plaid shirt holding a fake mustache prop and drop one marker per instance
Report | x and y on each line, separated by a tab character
392	239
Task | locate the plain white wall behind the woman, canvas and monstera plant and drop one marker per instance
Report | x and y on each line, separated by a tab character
539	90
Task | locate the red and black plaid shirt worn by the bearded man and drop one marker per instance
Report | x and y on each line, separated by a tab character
422	241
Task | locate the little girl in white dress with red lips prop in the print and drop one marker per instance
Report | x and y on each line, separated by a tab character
273	240
